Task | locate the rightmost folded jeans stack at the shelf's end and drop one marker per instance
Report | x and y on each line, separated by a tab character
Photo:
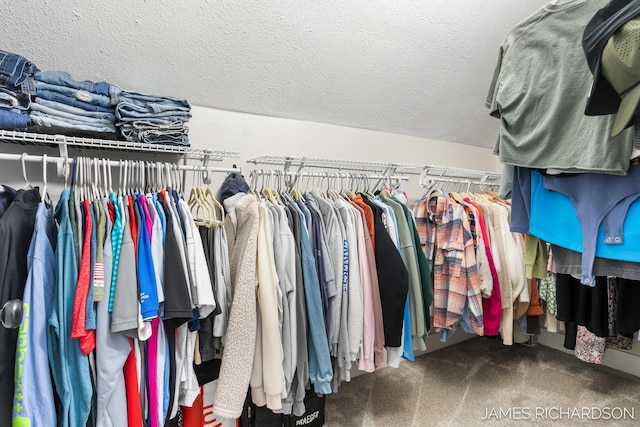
150	118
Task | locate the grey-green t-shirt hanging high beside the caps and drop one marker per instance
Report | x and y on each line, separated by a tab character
539	92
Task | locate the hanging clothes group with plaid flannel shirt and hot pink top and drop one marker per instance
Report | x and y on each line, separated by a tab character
479	275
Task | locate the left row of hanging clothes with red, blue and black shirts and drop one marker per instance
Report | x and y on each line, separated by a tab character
118	291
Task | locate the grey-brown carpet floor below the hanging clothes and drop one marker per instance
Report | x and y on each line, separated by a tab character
481	378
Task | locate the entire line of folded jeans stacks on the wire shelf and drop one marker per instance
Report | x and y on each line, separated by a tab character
54	101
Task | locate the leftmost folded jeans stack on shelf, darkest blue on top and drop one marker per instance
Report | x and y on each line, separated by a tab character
16	83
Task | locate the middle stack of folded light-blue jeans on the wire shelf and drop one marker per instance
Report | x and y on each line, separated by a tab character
63	102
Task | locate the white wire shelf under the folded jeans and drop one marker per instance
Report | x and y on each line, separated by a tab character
17	137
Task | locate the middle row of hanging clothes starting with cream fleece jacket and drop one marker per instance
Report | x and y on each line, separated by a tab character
340	276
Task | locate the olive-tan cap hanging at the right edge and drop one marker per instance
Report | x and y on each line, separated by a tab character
621	67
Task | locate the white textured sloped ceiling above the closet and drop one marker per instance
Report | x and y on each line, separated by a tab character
412	67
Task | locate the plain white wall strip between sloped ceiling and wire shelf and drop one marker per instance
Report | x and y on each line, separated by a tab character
254	136
